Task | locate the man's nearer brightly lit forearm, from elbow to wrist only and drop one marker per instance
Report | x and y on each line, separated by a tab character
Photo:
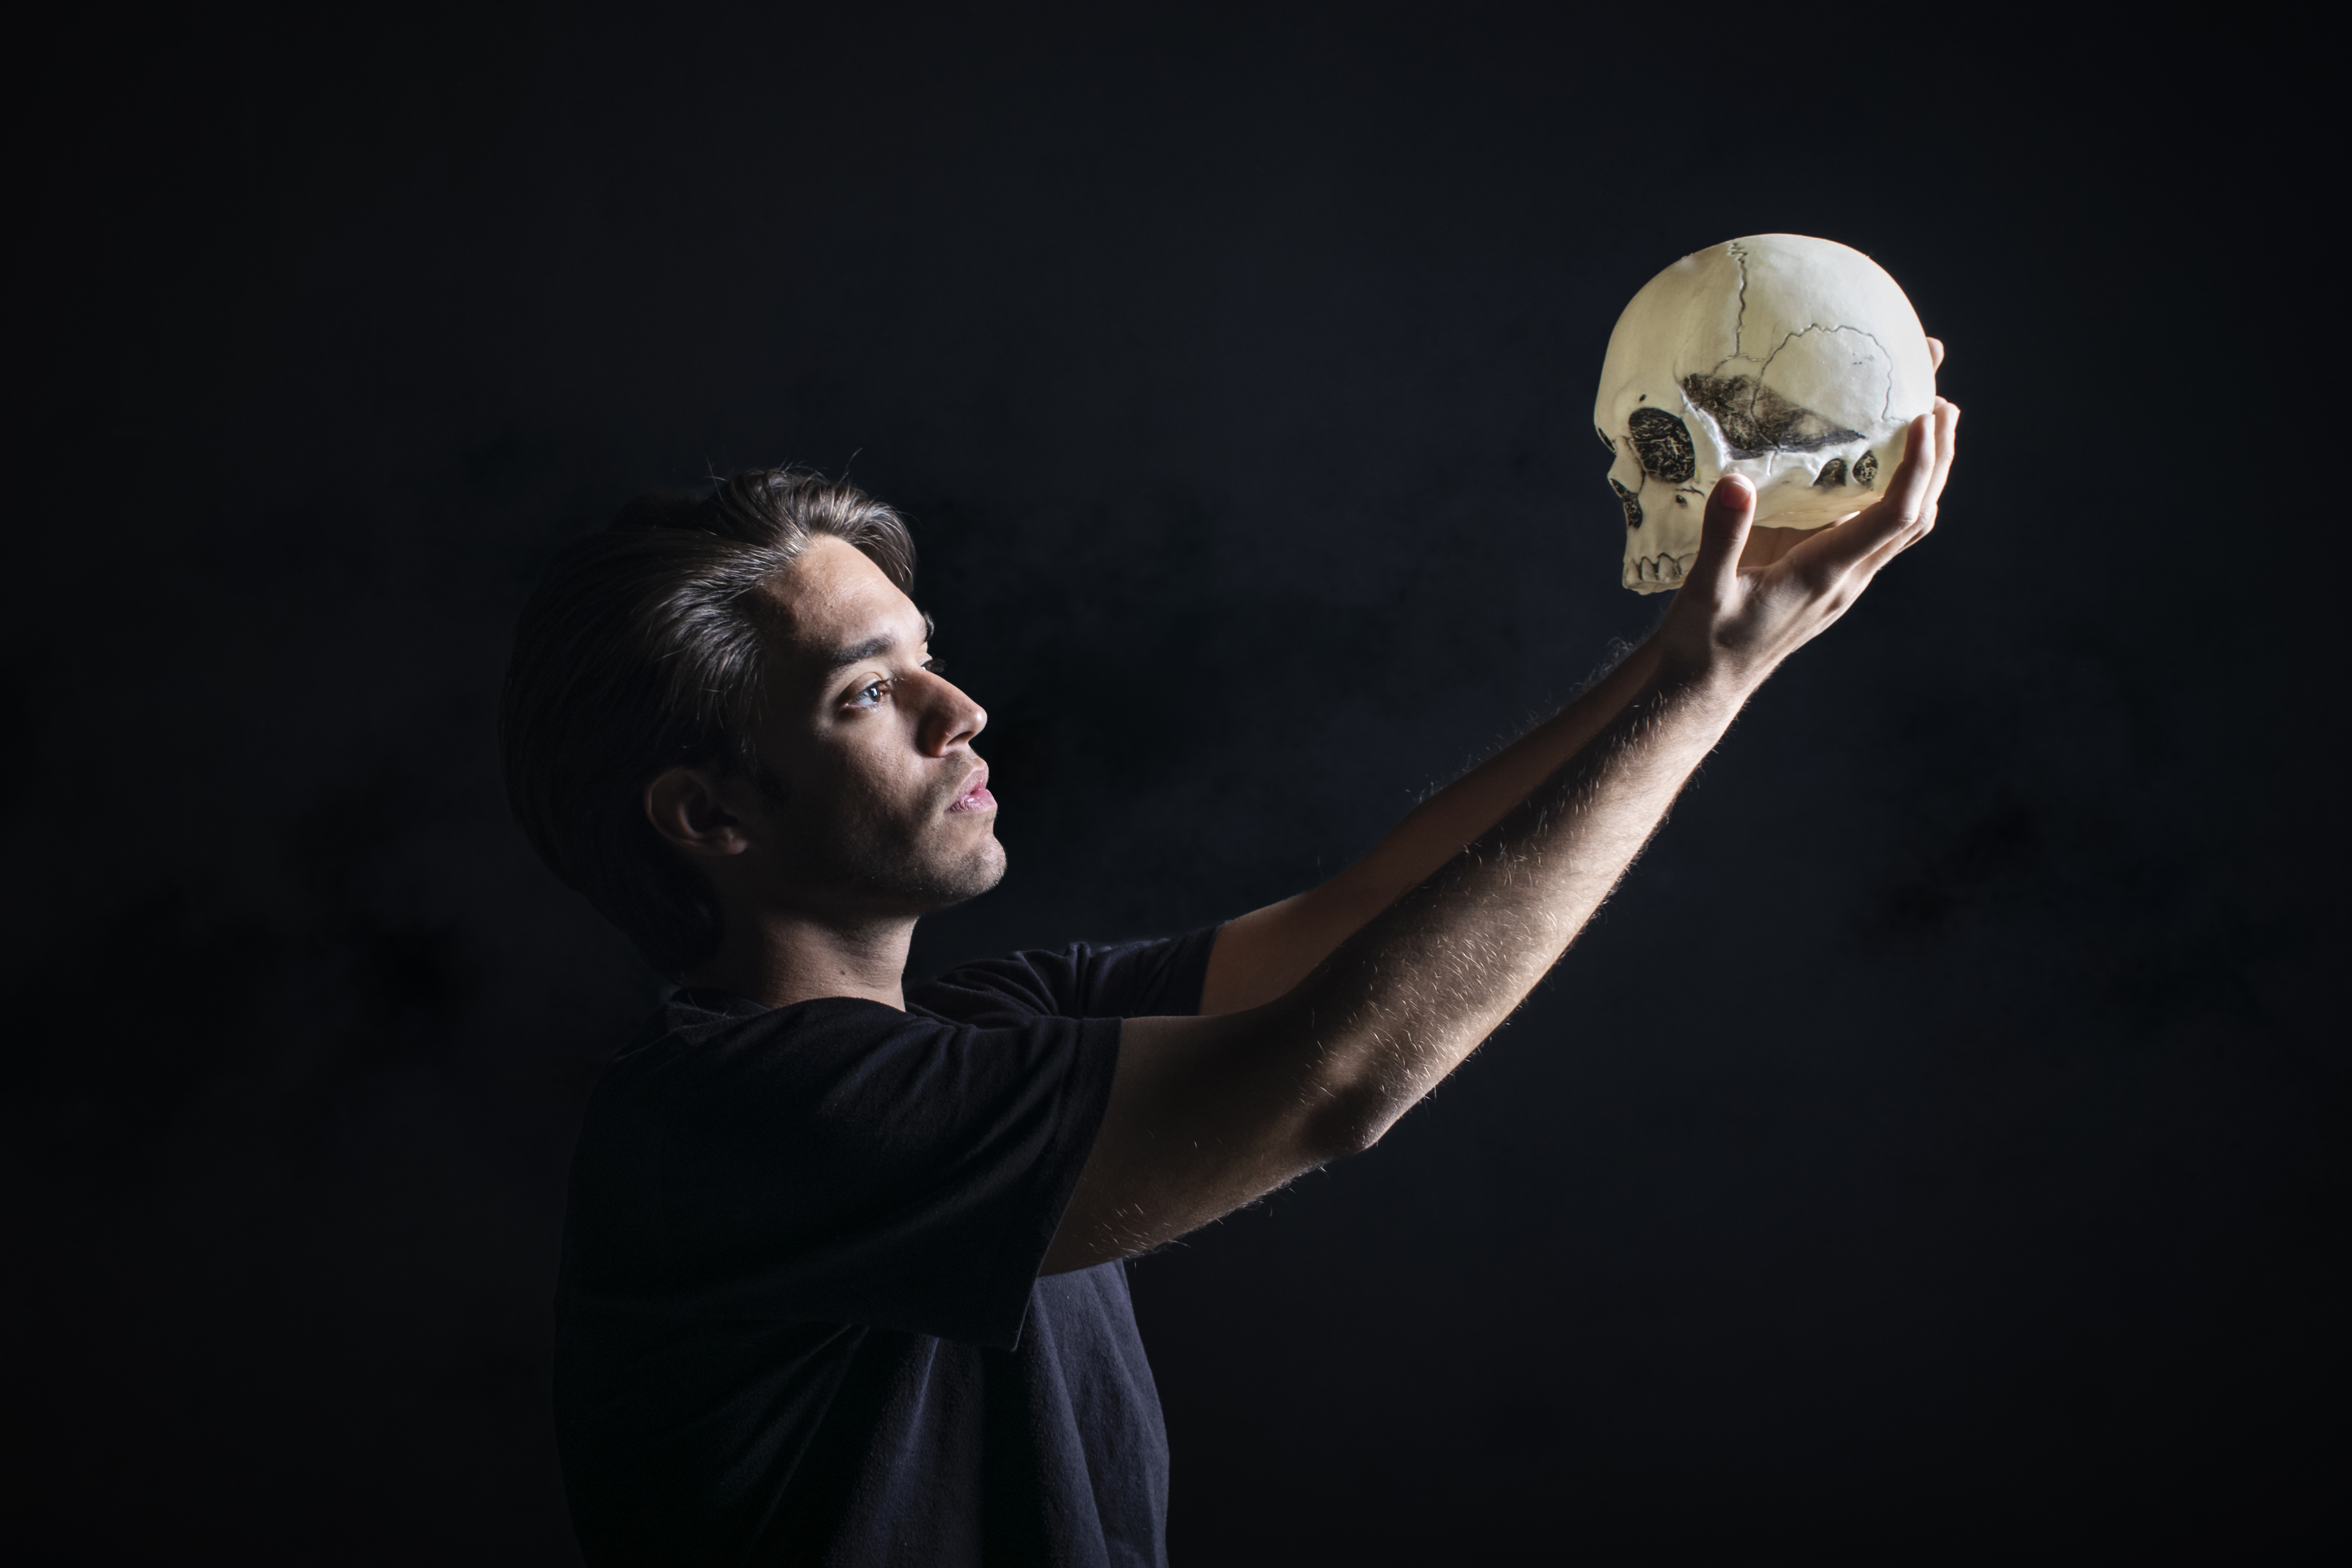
1410	996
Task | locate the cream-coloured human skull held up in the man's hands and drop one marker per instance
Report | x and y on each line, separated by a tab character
1789	361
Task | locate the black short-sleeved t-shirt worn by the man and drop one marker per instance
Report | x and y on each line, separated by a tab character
801	1318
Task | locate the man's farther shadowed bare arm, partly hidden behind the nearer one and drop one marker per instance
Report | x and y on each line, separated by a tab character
1269	951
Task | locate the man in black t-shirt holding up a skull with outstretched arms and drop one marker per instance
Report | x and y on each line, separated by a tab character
843	1268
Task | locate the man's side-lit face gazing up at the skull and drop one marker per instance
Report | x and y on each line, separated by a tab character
886	808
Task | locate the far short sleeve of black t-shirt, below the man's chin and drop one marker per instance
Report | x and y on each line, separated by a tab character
1081	981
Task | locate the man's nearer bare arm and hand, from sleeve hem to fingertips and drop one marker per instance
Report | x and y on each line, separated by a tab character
1212	1113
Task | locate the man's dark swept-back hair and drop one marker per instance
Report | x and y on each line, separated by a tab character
643	650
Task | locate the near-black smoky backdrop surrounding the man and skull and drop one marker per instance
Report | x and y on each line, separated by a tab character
1935	1146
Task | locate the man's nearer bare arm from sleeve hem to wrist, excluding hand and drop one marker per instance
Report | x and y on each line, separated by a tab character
1210	1113
